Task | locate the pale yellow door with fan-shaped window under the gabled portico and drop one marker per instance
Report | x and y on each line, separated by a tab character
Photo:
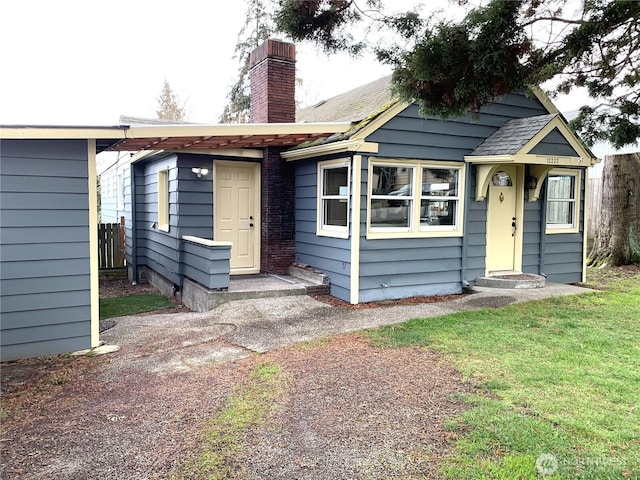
503	236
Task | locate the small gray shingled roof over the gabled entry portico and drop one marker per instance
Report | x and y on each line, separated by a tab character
512	136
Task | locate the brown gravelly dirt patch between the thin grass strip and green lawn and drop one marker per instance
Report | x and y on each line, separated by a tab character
356	411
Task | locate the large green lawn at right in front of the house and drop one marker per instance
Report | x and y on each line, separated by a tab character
559	377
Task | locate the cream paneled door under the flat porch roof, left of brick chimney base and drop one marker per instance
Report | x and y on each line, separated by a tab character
237	213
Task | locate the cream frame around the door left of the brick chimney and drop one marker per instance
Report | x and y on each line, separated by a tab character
255	172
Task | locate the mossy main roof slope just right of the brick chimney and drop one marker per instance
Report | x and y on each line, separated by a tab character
352	106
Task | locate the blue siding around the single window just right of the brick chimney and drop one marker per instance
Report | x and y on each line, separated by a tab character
330	255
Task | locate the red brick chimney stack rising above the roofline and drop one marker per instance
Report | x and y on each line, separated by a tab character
272	72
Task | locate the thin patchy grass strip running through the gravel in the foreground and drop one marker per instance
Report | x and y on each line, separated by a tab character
248	406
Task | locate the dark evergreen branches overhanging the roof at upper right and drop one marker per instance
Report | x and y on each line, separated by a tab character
499	47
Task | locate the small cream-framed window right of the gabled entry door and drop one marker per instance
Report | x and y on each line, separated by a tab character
563	201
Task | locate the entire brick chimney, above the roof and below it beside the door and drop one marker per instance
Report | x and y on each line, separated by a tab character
272	75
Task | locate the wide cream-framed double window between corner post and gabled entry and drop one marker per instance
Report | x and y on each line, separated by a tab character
417	199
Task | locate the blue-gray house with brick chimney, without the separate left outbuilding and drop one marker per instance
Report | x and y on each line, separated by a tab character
387	204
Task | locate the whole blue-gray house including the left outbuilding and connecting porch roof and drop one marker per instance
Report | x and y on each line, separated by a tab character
386	203
